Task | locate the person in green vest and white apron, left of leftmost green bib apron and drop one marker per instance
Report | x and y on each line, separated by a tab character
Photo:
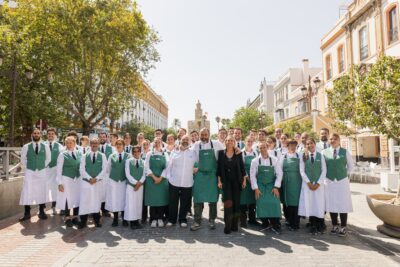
134	170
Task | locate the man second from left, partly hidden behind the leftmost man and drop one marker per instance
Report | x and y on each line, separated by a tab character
55	148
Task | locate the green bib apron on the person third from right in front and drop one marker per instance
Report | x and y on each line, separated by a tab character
291	182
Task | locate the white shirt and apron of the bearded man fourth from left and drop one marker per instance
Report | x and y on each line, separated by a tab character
90	194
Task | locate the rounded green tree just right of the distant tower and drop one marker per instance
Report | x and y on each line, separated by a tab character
249	118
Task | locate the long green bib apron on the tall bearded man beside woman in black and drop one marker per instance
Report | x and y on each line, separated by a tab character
205	187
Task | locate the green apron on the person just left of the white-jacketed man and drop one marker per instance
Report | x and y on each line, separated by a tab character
156	195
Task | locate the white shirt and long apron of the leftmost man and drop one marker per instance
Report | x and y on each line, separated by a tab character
34	188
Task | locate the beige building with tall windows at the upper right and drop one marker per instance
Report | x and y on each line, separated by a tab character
369	28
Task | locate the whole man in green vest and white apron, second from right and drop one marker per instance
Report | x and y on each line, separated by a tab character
312	196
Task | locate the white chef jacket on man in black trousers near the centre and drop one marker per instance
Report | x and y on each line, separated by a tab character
179	171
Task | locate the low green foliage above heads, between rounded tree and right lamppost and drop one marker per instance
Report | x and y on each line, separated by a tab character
291	127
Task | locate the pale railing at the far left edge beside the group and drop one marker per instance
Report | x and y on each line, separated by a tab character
10	163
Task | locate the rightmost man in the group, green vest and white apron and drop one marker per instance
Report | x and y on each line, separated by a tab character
339	165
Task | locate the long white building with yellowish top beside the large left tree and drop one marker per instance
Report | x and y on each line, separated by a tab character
148	108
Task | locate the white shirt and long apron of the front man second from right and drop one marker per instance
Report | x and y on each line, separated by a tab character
312	203
